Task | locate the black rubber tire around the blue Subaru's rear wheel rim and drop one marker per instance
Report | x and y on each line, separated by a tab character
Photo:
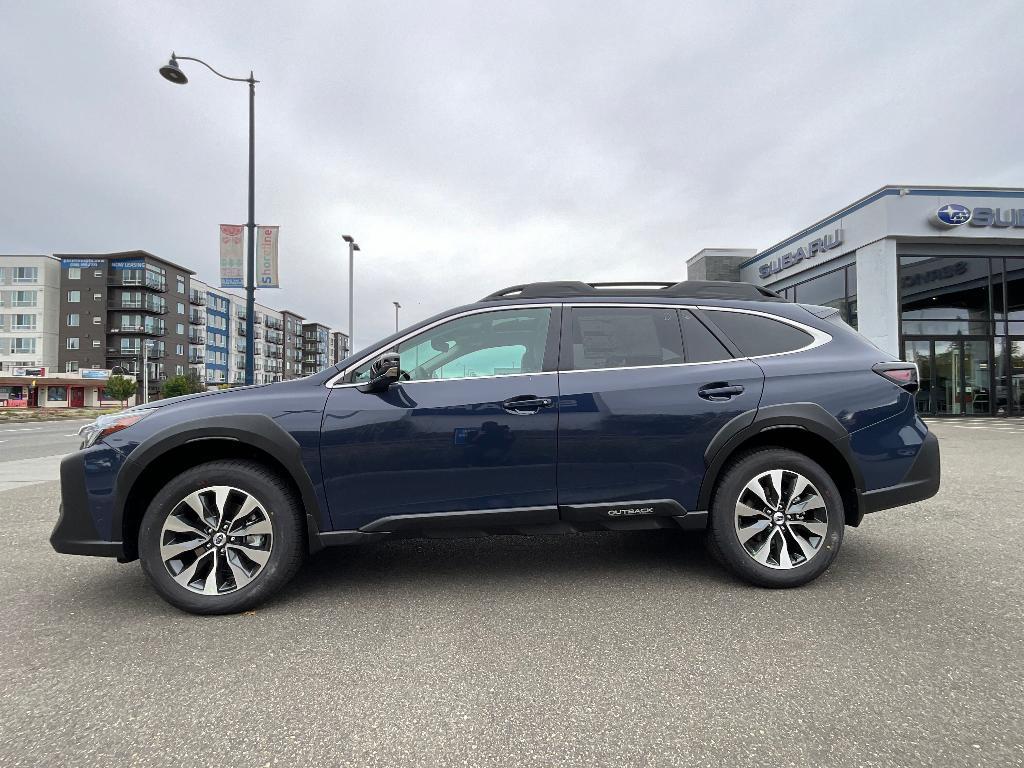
724	539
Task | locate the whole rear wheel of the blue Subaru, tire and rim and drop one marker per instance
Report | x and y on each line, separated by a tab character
777	519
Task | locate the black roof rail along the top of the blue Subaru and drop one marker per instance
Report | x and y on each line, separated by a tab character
691	289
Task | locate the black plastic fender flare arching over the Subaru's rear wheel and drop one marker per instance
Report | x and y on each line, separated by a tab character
806	416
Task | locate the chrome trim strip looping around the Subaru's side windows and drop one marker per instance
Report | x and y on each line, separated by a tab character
819	339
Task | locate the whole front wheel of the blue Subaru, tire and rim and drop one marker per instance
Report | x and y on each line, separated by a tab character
222	538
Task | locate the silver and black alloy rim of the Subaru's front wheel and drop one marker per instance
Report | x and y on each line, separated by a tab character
217	540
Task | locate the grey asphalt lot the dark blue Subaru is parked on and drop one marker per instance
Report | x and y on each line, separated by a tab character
599	650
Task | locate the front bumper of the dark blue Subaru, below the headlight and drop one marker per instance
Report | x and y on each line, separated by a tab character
87	502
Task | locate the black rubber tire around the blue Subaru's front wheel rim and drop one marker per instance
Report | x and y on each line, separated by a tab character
287	543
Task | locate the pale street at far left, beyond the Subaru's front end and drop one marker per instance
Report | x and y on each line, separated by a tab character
31	453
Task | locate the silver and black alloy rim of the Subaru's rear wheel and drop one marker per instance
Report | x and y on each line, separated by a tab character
782	520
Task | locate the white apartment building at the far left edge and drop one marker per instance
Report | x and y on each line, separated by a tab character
30	306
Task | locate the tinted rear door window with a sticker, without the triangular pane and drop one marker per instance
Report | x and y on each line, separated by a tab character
624	337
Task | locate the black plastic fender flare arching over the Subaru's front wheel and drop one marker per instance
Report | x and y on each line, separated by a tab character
252	430
